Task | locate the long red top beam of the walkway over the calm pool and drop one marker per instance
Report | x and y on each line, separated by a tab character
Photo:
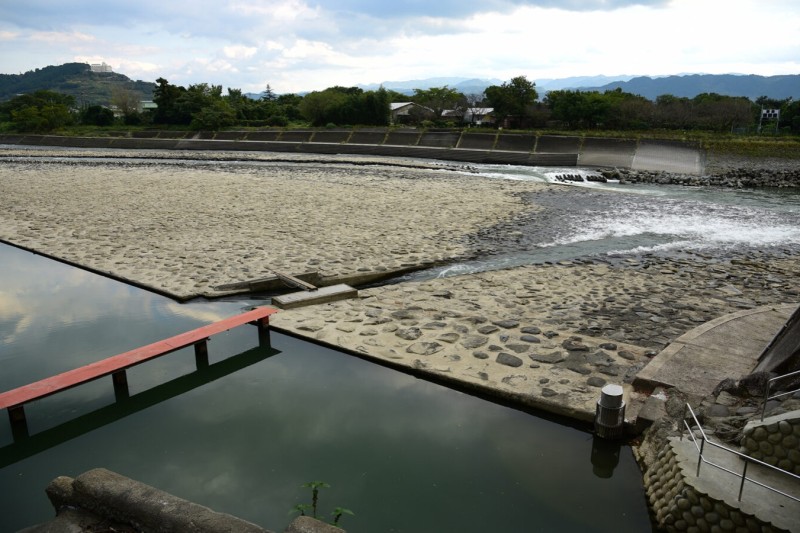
110	365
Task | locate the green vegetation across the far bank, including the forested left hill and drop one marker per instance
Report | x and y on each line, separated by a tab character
71	99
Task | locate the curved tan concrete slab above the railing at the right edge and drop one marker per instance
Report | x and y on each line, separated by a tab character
728	347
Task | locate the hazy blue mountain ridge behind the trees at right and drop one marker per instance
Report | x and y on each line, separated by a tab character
751	86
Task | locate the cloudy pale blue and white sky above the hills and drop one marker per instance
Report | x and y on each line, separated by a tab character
301	45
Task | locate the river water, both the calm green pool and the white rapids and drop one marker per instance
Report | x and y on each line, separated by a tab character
402	453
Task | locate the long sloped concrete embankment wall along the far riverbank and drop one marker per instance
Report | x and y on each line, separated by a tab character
497	148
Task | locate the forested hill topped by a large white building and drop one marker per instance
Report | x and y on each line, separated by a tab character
75	79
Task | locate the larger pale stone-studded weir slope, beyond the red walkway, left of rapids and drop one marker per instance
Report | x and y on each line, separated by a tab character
187	228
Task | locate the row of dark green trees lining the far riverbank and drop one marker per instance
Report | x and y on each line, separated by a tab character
515	105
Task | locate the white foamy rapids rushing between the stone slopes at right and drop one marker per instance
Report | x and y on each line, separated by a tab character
662	218
